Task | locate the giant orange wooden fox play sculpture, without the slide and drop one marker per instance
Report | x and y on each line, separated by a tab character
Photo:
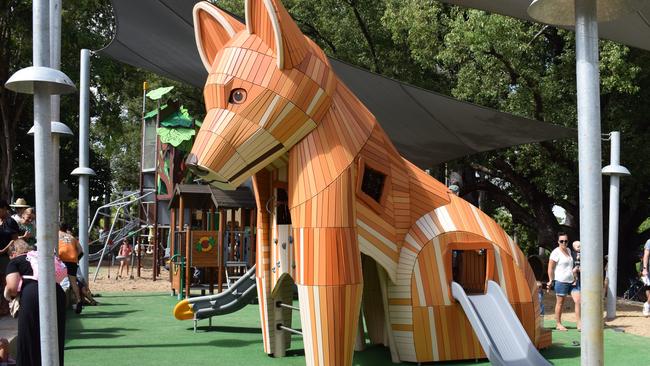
340	213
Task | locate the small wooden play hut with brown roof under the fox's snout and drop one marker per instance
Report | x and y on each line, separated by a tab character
212	237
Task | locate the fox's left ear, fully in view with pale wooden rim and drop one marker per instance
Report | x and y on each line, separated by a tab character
213	28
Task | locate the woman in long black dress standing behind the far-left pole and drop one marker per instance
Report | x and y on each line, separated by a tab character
29	347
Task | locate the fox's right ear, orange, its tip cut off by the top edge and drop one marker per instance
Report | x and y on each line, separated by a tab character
271	22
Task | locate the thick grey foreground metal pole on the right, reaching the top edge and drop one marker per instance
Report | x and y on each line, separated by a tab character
589	157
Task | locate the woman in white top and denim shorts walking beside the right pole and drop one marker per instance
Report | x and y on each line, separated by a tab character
561	279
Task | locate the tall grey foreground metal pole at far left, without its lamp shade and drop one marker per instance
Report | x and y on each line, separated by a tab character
44	190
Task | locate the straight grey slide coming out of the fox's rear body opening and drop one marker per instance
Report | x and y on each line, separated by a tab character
497	327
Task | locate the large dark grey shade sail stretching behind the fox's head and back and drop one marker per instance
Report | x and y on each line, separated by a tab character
426	127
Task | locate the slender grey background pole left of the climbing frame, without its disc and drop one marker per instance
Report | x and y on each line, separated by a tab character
84	179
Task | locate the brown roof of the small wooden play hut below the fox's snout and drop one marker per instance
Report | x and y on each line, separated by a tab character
198	196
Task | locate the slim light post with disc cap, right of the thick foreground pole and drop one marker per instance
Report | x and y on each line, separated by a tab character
615	171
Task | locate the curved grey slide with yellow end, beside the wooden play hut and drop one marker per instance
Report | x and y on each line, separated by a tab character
240	294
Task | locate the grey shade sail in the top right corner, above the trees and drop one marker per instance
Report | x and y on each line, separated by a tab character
632	29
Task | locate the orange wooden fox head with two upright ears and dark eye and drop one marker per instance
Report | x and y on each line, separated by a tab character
268	87
